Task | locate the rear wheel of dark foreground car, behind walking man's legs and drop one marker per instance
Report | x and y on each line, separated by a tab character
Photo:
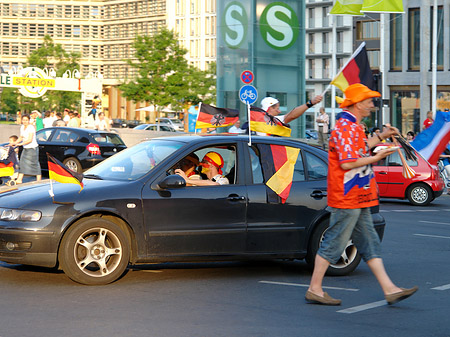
348	261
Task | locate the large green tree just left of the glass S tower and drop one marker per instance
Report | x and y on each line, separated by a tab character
164	76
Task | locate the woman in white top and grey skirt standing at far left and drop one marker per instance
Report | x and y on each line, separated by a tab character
29	159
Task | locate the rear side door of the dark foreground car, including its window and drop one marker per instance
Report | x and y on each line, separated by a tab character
276	227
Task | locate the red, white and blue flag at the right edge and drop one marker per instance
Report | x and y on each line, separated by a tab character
431	142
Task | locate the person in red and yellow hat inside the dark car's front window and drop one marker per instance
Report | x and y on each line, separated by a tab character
211	164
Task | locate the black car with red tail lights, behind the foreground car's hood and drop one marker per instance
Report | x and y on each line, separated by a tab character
77	148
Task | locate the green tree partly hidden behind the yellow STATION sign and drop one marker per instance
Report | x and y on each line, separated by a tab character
51	55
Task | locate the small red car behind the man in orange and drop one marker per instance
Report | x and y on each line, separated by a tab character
424	187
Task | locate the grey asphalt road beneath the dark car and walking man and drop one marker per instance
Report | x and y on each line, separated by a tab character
246	299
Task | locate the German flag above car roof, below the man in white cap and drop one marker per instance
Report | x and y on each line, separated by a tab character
261	121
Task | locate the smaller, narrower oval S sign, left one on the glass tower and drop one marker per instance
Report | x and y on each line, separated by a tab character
235	24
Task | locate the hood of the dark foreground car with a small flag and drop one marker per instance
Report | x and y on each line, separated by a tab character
37	194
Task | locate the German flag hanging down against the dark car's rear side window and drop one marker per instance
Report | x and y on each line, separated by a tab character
278	167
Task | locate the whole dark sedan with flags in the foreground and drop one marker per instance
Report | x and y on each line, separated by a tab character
133	209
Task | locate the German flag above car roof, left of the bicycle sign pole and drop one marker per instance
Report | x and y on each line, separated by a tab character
212	117
